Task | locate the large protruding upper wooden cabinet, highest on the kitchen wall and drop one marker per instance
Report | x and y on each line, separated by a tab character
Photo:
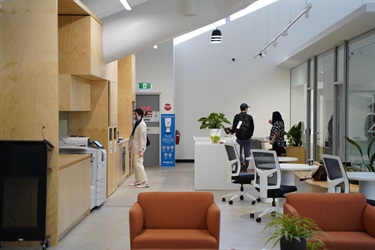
80	47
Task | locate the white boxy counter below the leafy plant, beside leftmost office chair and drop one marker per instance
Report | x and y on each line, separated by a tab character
210	164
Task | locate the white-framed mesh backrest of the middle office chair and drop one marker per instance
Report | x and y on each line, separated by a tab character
267	170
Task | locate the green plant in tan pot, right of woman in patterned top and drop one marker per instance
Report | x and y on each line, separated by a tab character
295	148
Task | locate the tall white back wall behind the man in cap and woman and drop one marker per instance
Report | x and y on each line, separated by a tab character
207	80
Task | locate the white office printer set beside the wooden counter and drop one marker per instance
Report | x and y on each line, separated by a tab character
98	165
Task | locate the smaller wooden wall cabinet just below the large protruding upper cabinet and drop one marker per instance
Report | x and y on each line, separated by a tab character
74	93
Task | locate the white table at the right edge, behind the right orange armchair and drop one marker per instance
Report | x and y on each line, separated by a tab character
366	182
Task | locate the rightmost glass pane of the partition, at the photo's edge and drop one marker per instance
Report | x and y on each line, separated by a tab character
361	93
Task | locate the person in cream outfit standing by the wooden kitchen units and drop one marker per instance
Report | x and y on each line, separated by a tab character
137	147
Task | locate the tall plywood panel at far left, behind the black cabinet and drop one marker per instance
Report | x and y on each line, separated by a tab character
28	82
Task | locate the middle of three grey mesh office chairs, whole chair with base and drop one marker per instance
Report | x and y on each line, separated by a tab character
267	180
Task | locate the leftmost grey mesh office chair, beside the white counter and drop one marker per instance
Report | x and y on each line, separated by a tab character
235	176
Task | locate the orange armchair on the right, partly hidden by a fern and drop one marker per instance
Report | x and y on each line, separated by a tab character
346	218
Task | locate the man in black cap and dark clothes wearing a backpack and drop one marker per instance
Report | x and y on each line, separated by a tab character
243	127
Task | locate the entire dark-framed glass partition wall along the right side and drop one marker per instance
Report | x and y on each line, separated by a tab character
333	94
